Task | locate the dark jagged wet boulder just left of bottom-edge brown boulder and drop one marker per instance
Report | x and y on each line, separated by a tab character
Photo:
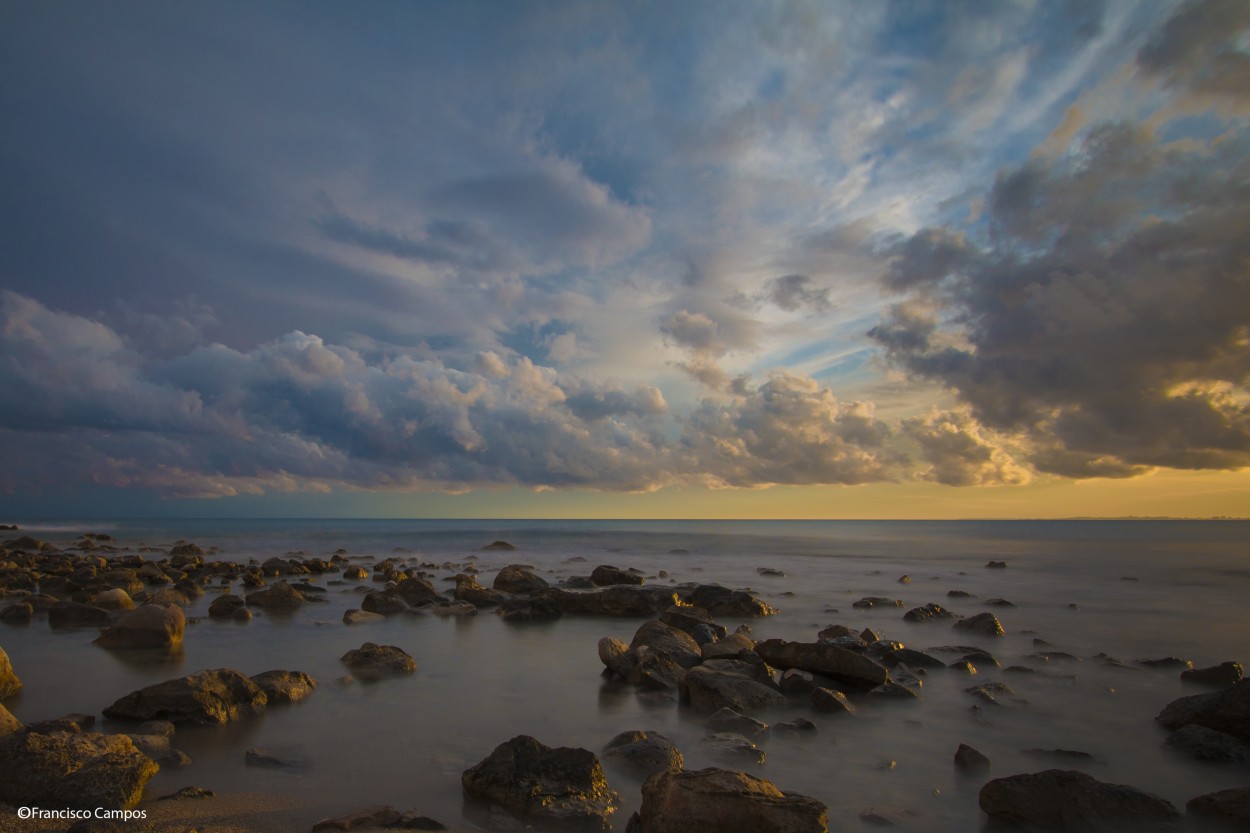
544	785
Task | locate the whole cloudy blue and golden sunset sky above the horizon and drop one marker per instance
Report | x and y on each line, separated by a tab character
626	260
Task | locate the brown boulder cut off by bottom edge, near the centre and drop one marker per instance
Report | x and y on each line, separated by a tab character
709	801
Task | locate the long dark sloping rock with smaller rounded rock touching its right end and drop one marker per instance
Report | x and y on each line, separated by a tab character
214	696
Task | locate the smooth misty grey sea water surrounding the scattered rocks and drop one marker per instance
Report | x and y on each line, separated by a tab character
482	681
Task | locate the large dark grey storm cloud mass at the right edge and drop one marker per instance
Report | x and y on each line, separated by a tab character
1108	316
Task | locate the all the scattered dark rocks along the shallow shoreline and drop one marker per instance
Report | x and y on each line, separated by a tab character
137	601
